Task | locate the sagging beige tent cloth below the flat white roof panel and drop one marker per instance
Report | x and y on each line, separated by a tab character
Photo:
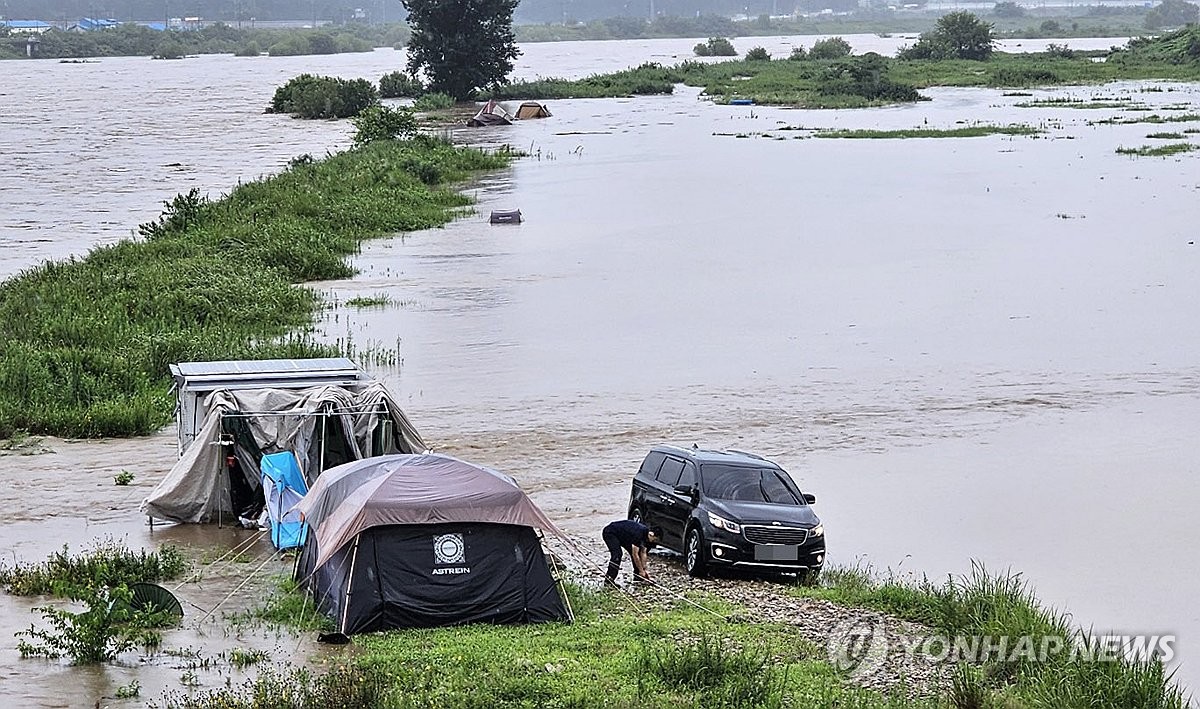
323	425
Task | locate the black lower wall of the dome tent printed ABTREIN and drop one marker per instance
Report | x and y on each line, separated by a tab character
436	575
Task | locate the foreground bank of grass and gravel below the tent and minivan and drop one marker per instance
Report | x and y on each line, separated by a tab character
751	645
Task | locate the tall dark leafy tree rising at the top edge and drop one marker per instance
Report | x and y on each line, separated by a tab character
461	45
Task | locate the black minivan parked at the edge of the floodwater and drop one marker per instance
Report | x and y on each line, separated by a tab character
729	509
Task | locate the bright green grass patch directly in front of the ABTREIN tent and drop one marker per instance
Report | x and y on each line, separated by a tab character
615	654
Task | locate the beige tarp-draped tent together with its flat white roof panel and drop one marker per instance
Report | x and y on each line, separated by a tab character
251	410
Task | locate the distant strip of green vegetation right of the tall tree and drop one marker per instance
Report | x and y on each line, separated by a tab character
958	52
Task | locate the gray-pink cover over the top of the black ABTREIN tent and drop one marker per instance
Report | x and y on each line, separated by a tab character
411	490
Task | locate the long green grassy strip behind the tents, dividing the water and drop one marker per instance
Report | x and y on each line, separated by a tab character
85	344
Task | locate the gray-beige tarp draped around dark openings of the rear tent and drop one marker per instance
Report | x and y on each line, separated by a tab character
194	490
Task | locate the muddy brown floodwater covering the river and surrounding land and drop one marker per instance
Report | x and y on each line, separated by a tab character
969	350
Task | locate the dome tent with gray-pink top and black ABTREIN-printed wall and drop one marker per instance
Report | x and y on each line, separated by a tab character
423	542
